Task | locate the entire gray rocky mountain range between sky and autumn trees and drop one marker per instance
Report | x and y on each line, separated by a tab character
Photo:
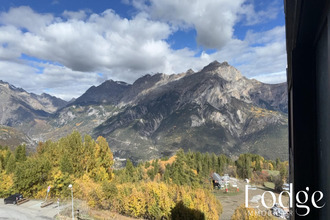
215	110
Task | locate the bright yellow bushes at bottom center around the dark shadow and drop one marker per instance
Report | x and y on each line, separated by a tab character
156	200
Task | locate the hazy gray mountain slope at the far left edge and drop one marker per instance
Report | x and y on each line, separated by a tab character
23	111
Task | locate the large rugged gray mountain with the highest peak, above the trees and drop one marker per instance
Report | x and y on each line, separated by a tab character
215	109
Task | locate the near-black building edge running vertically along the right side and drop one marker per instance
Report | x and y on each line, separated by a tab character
307	39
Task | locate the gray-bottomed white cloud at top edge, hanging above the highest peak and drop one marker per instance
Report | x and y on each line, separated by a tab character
213	19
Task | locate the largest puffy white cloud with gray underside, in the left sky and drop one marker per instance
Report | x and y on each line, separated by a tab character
101	42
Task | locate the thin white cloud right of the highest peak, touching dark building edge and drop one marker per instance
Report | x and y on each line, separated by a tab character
259	54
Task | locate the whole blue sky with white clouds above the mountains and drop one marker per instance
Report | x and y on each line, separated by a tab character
64	47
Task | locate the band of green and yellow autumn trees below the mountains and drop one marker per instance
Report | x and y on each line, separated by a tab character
156	189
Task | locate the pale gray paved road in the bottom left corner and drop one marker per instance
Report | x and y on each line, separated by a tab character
28	211
